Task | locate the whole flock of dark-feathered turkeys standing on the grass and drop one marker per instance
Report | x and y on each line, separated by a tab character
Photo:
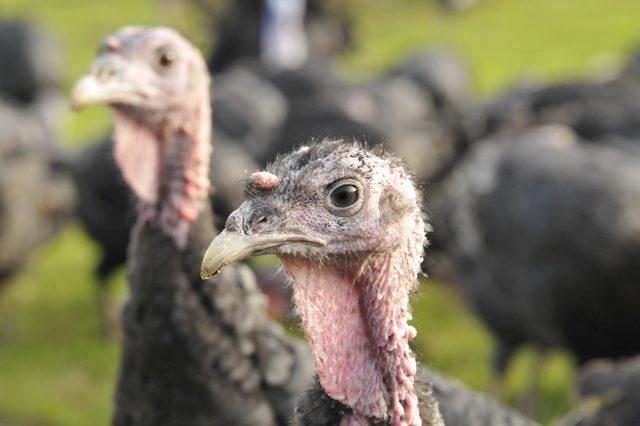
533	198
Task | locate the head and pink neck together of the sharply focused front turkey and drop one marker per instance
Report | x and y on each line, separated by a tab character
347	225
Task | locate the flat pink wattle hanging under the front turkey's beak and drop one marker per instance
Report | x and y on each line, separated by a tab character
329	305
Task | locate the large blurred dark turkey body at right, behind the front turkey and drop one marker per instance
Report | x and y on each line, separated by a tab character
542	229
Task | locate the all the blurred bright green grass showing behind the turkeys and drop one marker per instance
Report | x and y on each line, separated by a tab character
55	369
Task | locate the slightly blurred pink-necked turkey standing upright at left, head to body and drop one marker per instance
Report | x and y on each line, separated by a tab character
195	352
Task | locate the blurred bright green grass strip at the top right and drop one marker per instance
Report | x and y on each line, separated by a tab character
502	40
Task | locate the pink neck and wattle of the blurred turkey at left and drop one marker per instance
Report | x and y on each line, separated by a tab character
167	165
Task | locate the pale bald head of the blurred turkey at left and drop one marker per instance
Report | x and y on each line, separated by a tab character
150	69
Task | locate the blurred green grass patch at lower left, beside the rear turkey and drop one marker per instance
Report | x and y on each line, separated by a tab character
55	367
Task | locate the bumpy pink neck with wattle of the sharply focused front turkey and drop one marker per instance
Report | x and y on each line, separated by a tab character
356	322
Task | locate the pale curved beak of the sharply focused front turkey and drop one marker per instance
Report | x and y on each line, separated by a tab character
232	246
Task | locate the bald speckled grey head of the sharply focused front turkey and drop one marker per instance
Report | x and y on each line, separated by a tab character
330	202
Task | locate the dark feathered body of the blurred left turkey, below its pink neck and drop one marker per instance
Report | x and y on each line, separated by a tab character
201	353
